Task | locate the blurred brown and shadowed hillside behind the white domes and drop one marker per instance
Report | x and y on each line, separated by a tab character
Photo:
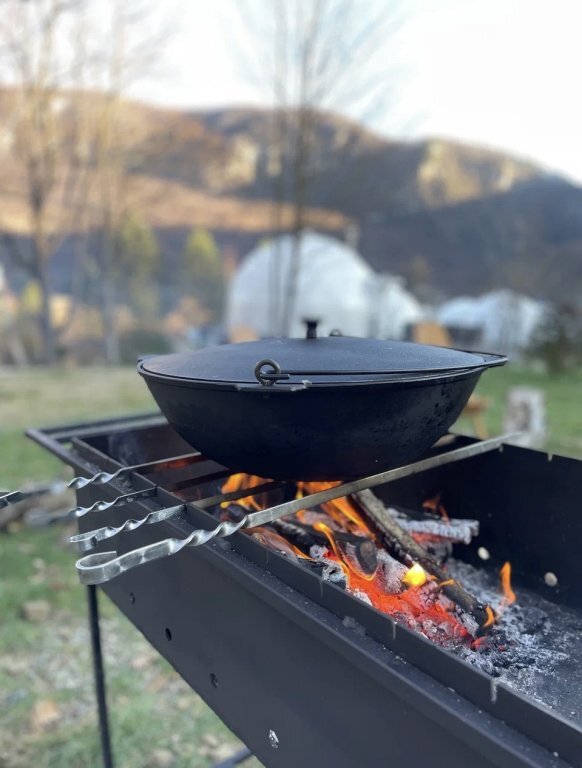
446	216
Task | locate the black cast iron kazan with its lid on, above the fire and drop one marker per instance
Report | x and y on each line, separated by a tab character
315	408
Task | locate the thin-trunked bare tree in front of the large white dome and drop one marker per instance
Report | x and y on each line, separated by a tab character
327	58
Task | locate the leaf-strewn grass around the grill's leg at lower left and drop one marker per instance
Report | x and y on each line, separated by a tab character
151	708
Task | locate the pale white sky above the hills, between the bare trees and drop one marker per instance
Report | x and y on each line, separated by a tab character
498	73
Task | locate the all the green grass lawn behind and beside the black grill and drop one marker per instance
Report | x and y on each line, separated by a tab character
152	707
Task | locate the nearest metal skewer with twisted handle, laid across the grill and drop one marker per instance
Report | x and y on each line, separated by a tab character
104	566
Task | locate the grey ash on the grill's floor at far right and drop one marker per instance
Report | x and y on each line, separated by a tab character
535	649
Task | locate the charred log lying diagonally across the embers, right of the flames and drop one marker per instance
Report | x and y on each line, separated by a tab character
395	538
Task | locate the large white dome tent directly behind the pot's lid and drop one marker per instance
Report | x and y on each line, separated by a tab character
334	285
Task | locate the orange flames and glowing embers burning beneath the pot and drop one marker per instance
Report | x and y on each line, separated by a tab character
409	595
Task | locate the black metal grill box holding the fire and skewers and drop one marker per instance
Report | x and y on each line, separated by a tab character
273	649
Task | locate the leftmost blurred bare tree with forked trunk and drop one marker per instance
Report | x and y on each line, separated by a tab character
45	139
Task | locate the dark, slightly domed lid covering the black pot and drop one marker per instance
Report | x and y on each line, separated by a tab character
323	360
